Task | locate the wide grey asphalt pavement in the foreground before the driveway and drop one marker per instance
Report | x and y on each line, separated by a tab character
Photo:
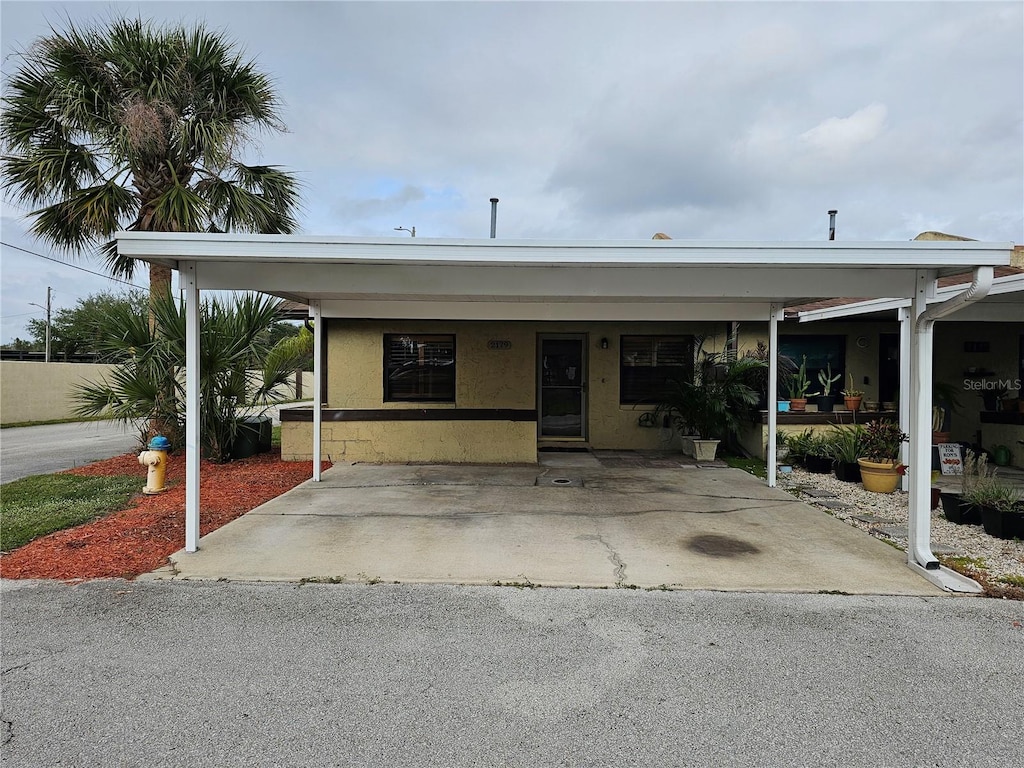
188	674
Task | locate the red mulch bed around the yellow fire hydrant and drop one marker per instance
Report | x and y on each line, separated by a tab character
139	539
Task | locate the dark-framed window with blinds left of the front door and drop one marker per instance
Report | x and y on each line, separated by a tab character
419	368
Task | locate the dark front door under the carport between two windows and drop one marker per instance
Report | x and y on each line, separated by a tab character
563	387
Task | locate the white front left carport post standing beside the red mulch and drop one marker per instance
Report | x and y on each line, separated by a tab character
187	272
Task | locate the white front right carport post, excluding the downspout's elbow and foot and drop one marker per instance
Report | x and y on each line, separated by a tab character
920	429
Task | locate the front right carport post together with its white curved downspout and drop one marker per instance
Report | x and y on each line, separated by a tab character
920	524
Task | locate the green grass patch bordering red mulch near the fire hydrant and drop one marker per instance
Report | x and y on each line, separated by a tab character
35	506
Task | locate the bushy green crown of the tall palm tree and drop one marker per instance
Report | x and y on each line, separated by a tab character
131	126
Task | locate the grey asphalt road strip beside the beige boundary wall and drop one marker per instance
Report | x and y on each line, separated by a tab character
52	448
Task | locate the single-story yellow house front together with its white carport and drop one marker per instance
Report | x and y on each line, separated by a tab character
480	351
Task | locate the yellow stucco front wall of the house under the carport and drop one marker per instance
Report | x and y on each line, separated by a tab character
485	379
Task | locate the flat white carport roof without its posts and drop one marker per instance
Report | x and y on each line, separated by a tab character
554	280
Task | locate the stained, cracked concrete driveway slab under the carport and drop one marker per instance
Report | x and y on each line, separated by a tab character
673	529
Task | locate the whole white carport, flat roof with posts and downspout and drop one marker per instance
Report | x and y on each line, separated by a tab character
579	280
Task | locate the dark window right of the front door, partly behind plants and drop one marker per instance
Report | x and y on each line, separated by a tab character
650	363
